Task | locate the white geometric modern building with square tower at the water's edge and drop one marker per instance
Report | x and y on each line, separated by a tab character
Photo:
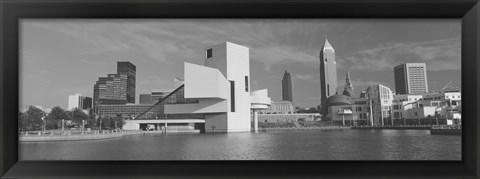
219	91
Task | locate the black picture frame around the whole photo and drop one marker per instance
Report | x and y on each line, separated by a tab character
13	10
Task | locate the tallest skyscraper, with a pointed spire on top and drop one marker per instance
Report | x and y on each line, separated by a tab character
328	71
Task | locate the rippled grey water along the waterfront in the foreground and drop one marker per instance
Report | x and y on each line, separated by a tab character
273	145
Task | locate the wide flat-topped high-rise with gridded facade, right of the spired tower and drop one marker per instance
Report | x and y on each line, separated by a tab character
411	78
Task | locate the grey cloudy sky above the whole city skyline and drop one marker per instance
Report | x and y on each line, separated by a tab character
60	57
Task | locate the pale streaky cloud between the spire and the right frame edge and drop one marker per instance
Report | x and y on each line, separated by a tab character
444	54
